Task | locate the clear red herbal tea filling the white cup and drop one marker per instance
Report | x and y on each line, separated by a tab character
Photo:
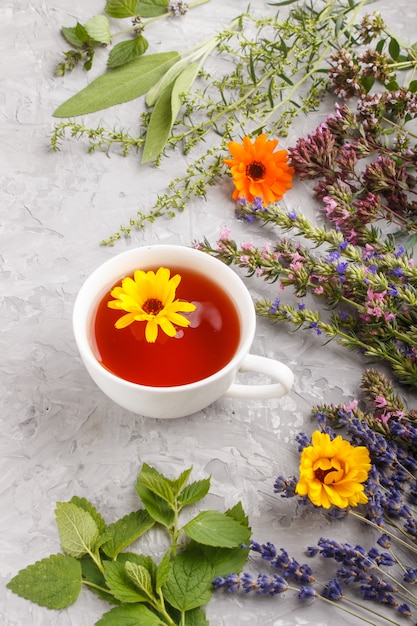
196	352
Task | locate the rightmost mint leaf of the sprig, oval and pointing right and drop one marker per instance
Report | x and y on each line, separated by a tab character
213	528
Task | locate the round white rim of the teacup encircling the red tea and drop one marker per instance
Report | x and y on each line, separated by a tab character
84	307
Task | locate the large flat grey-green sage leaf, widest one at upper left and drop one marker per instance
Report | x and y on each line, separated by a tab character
119	85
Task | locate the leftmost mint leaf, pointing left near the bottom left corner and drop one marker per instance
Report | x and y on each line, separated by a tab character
54	582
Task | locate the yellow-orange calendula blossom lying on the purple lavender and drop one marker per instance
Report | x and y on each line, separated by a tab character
332	472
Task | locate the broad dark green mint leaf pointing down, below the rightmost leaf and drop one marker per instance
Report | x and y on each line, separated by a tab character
189	582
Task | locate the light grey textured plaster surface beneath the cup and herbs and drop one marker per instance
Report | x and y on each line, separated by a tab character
59	435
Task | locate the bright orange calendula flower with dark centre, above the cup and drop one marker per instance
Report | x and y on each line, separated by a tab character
258	171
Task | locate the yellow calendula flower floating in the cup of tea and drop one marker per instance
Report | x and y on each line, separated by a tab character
150	297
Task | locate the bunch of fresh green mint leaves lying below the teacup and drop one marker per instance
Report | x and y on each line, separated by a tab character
97	555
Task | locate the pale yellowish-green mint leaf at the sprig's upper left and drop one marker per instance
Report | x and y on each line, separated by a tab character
78	531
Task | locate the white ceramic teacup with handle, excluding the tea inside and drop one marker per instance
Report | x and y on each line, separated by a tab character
182	400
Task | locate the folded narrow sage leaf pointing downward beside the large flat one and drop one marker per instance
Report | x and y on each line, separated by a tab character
165	112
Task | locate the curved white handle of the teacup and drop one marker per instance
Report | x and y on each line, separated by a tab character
281	375
